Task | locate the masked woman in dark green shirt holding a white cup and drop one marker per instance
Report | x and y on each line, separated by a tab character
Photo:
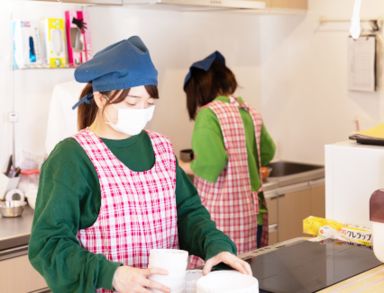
114	191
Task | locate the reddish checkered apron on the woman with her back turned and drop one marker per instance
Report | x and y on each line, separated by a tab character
230	200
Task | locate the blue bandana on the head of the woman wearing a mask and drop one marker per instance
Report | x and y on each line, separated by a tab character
119	66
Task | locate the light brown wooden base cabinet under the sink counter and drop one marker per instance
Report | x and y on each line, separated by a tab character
289	205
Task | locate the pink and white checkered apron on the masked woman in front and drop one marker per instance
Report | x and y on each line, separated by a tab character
138	209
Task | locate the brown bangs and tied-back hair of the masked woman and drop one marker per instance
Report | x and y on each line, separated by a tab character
86	113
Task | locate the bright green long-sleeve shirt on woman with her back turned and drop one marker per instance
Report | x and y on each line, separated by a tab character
210	152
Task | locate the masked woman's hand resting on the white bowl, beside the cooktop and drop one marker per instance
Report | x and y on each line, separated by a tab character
229	259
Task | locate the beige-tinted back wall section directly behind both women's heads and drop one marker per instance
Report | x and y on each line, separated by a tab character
176	39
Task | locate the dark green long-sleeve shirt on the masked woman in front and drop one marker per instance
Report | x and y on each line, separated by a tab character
69	200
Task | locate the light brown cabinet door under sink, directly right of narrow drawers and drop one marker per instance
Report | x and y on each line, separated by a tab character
293	208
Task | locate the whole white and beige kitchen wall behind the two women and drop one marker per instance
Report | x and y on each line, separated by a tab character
293	70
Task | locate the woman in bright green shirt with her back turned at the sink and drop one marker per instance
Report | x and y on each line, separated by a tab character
230	144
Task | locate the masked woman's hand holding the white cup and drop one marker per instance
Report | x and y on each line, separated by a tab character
133	280
